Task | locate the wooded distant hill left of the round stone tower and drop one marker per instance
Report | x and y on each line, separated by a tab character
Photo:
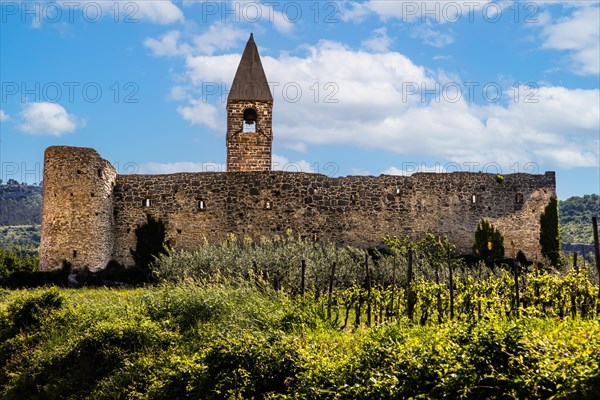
20	205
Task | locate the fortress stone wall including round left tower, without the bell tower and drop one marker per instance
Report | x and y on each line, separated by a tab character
87	221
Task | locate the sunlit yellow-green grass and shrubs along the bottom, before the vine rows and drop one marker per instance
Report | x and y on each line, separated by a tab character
239	341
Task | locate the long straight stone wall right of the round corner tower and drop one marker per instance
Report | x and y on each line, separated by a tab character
357	210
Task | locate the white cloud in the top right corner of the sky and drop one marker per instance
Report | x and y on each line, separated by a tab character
578	34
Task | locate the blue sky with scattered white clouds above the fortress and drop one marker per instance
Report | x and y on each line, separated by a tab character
362	87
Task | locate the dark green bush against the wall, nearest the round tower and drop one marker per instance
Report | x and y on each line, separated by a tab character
150	242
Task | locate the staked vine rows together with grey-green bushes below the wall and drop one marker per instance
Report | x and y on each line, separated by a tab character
423	281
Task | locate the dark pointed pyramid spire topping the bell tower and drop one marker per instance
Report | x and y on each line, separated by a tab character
250	82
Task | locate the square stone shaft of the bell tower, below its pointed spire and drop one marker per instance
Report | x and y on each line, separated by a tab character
249	152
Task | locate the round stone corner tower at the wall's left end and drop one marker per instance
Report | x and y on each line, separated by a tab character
77	210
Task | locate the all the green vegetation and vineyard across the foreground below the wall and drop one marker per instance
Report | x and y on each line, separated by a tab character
288	318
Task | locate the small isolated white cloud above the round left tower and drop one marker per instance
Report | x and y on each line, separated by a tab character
48	119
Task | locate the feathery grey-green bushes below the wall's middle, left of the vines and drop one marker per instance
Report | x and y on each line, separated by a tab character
274	260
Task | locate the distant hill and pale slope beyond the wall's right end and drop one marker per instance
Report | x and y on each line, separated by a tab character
576	218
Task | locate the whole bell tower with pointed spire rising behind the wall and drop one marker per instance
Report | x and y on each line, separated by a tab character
249	115
